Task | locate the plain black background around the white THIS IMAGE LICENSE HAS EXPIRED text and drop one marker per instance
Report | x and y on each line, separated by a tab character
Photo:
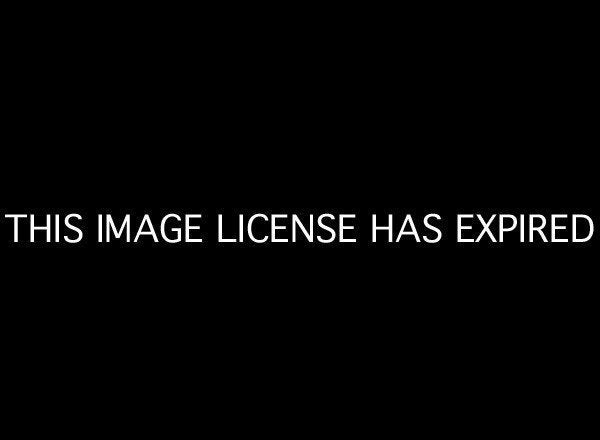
368	113
